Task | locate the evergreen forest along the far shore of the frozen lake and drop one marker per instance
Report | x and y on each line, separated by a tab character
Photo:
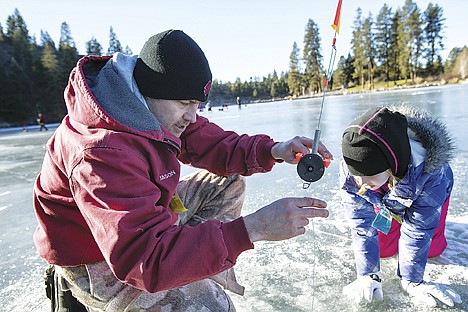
398	46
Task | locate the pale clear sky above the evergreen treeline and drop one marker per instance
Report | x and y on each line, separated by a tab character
240	38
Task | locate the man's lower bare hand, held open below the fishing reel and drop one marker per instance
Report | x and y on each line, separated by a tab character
284	218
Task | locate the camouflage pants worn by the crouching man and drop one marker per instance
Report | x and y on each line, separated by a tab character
206	196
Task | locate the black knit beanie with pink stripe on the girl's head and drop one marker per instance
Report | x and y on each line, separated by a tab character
376	141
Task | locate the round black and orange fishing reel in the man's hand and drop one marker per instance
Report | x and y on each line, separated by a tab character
311	167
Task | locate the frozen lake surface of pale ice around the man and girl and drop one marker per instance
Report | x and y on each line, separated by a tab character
306	273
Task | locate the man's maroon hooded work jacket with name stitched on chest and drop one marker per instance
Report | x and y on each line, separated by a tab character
109	174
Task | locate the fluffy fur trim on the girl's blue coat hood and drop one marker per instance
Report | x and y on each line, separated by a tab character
431	133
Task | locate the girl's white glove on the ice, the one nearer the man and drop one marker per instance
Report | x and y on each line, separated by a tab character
365	287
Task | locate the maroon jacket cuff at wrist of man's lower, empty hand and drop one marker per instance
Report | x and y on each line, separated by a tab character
236	238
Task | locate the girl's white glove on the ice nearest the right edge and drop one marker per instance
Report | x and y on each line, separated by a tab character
423	293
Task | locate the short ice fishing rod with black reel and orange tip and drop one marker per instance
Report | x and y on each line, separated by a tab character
311	167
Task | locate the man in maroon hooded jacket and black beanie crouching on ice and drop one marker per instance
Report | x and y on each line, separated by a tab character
123	232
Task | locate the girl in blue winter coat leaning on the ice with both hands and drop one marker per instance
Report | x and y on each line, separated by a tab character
396	184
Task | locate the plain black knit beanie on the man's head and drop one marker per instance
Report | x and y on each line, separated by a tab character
171	66
